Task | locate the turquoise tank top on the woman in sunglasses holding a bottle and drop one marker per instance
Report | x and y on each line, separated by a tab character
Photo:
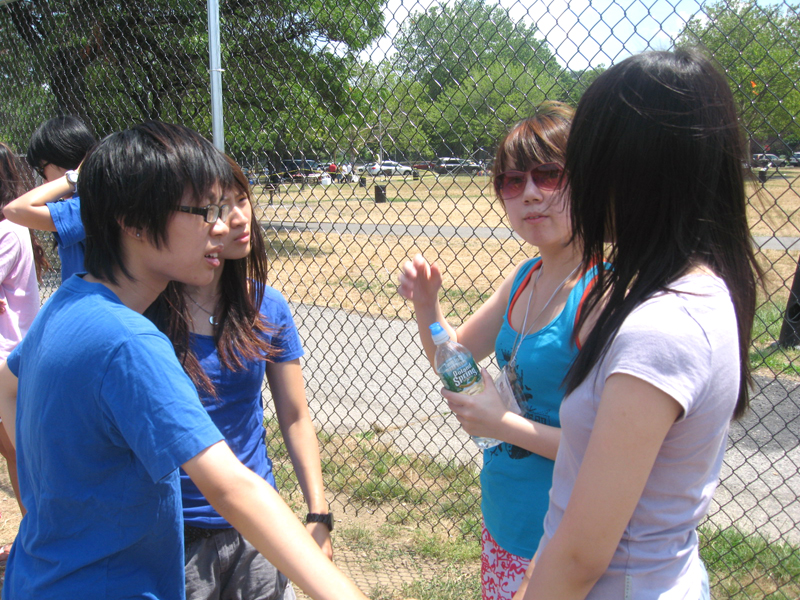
515	482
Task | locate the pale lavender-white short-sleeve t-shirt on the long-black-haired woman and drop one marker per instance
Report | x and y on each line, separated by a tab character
684	342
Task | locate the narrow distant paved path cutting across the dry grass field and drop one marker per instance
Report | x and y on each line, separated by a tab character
446	231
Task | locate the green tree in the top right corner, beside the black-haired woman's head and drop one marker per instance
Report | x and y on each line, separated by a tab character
758	47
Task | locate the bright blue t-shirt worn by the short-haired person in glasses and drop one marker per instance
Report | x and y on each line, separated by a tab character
105	416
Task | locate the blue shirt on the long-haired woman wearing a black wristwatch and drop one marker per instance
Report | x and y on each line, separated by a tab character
238	409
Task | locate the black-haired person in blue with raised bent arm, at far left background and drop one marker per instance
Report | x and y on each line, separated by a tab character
56	149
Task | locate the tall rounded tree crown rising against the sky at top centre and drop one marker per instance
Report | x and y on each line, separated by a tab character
440	46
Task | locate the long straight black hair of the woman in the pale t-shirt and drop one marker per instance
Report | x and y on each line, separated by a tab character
655	167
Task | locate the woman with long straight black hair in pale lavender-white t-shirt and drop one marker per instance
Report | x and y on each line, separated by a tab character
654	164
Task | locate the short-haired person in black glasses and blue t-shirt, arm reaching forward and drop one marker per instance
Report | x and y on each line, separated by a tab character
101	412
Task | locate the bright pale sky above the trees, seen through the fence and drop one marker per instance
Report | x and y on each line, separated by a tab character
581	33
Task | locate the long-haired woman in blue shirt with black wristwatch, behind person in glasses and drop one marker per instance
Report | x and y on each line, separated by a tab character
228	334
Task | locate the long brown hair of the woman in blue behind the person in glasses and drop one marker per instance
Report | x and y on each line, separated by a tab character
241	332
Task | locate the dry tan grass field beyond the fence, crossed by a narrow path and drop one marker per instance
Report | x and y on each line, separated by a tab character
358	272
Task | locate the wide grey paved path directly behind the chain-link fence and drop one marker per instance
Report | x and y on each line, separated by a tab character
366	373
